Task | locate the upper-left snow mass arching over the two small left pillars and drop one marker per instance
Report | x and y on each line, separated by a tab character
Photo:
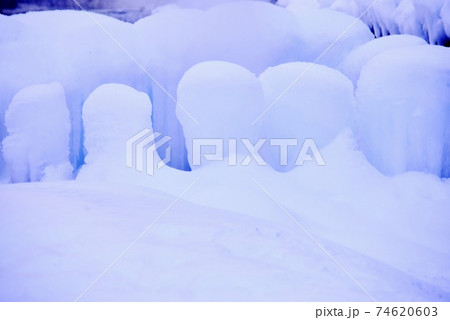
76	53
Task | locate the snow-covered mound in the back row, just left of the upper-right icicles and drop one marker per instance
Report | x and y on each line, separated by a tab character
330	35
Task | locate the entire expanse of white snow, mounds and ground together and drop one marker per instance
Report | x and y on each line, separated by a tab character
77	86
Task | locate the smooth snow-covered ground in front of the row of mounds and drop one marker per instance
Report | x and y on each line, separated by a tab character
396	248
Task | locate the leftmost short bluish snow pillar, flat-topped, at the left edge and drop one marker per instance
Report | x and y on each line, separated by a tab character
37	146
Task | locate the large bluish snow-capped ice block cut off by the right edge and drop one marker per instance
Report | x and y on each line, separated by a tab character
403	110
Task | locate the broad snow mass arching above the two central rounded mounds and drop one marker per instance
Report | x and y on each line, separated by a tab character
255	35
